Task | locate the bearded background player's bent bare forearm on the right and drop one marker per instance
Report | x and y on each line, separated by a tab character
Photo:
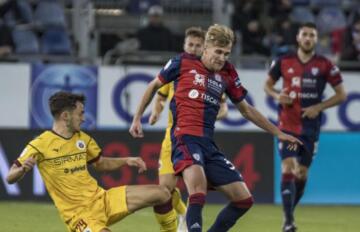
336	99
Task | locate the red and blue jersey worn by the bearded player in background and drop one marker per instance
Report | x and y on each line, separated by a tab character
305	84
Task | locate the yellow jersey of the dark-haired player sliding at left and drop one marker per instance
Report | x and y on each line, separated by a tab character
63	166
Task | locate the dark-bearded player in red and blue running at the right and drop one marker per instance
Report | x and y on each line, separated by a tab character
305	75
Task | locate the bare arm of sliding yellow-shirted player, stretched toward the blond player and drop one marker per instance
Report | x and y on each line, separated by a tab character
106	164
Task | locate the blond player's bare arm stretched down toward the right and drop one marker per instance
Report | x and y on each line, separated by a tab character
250	113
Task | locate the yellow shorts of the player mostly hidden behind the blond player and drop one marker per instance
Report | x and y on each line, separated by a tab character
165	164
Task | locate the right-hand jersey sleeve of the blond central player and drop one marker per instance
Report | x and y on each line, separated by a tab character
235	90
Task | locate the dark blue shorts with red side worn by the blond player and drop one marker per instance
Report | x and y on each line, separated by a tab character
189	150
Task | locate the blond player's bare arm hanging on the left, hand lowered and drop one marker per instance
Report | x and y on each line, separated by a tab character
135	128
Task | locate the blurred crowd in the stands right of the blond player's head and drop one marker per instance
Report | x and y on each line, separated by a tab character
269	27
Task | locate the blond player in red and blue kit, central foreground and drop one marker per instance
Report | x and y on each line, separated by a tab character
199	84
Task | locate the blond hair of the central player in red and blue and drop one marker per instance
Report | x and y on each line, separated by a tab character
219	35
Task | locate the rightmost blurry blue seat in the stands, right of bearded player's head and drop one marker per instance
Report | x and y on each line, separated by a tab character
330	19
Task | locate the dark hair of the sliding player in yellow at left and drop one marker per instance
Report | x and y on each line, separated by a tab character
62	101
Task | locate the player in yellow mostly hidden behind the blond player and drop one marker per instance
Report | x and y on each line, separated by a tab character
165	214
